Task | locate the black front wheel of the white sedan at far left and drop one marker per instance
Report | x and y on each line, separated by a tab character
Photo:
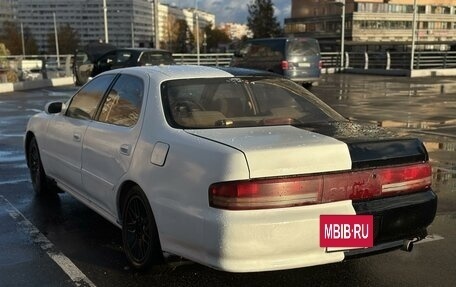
37	174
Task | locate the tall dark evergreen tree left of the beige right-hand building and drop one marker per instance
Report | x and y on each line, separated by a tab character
261	20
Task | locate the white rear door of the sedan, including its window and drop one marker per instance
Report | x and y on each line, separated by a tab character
110	140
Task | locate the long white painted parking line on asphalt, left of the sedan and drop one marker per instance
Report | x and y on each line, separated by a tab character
76	275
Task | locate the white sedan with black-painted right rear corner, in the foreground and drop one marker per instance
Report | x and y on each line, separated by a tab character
228	167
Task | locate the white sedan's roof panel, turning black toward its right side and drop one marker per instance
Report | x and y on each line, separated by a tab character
174	72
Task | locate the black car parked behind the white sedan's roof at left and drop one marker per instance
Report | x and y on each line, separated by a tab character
98	58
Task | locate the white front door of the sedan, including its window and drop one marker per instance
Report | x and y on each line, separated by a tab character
66	132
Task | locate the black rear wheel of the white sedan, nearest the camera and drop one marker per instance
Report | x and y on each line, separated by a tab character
139	231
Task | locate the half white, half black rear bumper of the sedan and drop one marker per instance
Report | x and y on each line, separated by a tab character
285	238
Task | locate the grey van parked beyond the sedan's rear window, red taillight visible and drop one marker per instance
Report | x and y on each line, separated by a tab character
297	59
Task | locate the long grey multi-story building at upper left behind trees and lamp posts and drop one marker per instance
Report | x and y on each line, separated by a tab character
131	23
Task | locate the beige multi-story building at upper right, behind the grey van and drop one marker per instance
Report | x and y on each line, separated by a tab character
375	24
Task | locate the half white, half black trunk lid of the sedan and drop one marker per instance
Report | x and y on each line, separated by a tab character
317	148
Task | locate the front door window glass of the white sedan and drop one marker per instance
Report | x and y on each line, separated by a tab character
85	103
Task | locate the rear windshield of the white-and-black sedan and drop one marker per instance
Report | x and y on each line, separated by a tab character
241	102
